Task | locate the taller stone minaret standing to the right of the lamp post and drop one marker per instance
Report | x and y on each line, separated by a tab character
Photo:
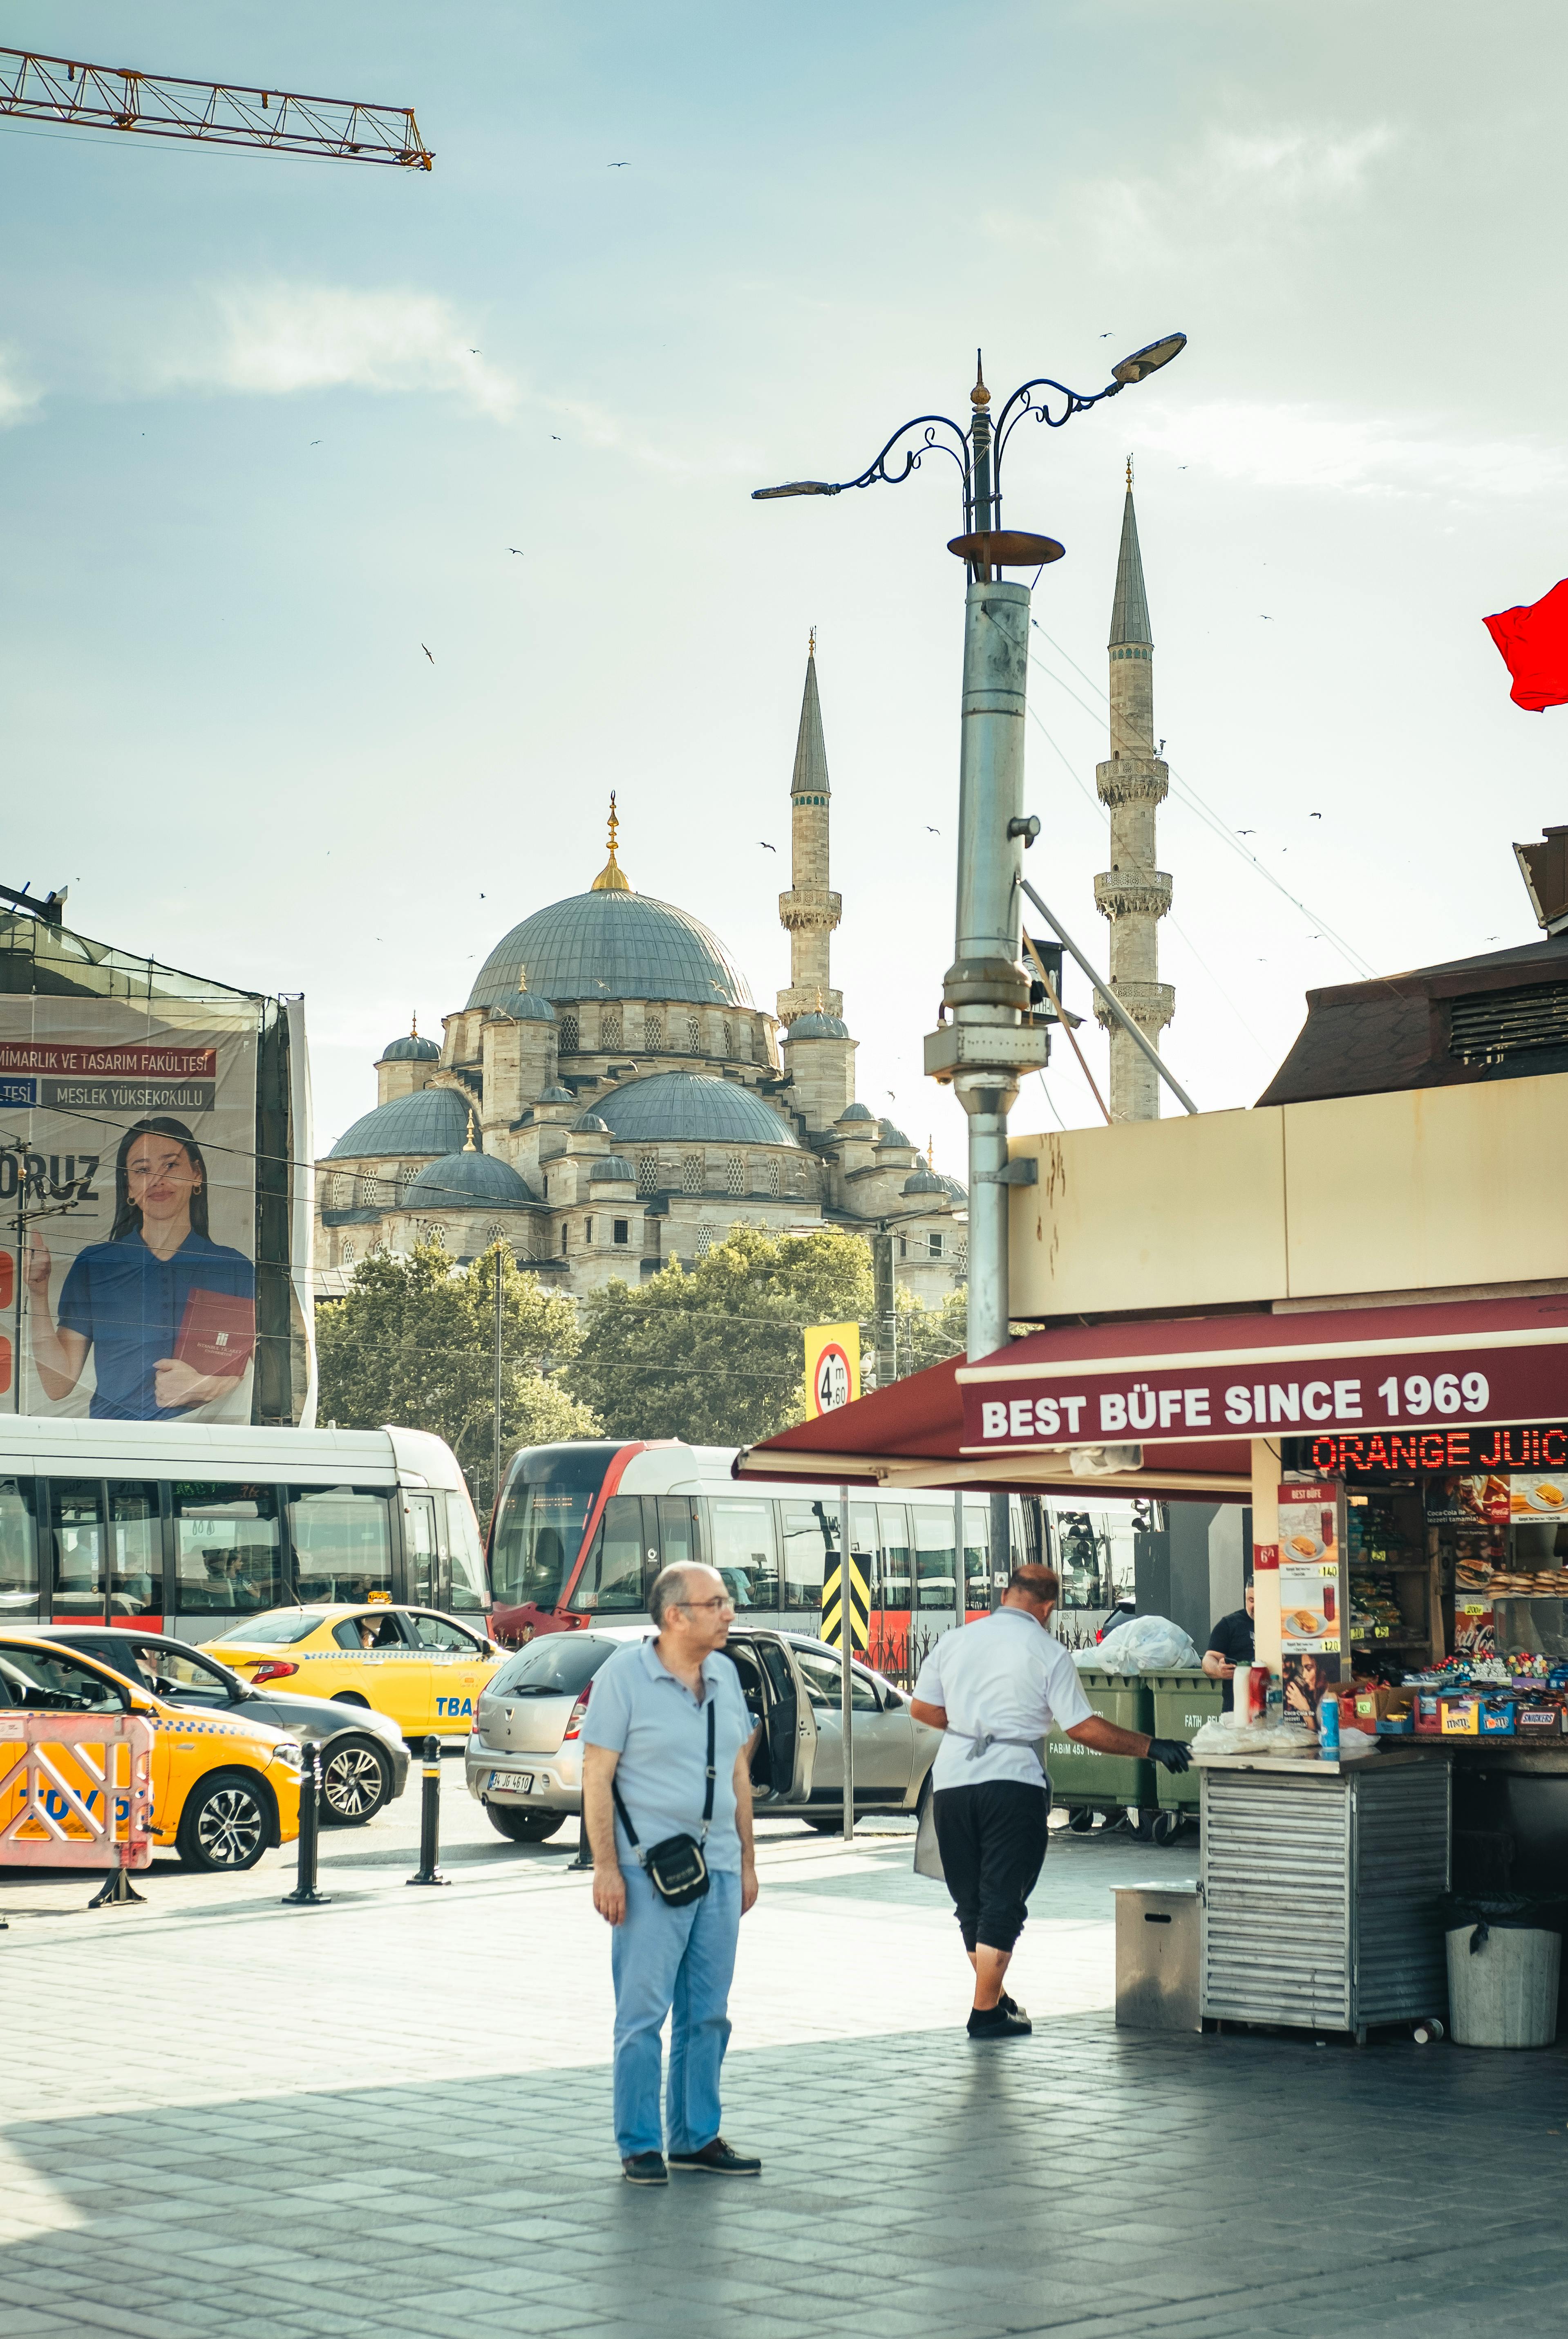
1134	895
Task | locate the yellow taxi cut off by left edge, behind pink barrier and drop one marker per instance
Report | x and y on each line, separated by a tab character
221	1788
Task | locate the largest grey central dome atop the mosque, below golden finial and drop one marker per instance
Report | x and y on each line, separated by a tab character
612	946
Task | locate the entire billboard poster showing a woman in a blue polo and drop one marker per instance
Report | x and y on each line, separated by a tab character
128	1208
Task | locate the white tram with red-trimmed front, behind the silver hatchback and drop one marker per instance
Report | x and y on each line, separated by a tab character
584	1529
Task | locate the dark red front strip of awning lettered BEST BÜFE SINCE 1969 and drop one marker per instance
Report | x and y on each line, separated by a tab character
1024	1412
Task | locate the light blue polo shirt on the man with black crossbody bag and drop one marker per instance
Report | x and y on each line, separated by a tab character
640	1711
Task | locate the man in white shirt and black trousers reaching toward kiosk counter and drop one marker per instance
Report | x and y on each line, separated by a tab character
998	1688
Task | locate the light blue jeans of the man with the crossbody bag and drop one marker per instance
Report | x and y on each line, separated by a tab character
673	1961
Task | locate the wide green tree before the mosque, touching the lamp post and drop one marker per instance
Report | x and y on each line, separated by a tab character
717	1355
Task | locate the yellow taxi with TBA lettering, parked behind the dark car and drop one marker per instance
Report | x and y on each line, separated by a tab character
420	1669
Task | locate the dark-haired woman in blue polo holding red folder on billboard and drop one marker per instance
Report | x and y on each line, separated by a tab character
167	1313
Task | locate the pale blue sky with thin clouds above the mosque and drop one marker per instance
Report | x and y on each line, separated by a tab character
270	425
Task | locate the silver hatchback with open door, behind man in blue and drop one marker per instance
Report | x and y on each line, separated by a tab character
525	1748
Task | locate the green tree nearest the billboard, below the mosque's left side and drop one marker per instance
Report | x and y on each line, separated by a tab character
413	1344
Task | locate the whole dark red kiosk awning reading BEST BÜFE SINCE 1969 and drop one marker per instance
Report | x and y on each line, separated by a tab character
1169	1407
